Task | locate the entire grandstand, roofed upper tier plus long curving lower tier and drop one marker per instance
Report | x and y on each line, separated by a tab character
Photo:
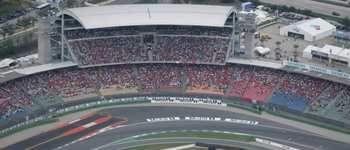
155	52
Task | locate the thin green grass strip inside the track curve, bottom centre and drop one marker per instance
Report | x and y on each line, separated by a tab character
234	137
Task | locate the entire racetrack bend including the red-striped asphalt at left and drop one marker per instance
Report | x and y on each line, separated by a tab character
136	125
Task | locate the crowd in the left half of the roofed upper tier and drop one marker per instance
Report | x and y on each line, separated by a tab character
109	50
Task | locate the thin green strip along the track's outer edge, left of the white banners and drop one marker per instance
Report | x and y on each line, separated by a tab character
99	106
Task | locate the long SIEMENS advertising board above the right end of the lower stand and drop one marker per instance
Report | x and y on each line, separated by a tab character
317	69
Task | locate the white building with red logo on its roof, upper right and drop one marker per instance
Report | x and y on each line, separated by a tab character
309	30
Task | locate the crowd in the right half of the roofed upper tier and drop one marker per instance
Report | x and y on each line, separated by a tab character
189	49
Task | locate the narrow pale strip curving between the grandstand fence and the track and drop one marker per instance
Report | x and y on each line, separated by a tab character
14	138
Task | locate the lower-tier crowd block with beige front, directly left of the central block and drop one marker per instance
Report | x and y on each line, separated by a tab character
118	77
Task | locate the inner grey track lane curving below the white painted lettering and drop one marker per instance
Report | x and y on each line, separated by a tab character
291	138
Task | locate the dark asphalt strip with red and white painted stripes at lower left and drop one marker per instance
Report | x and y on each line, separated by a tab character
54	138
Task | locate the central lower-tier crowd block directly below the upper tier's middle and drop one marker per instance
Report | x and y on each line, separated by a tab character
160	75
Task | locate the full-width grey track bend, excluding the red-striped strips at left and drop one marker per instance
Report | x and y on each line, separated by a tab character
265	129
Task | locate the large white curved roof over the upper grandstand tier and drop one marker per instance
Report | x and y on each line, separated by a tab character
150	14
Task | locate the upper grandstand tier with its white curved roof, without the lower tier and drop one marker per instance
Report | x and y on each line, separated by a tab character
155	34
